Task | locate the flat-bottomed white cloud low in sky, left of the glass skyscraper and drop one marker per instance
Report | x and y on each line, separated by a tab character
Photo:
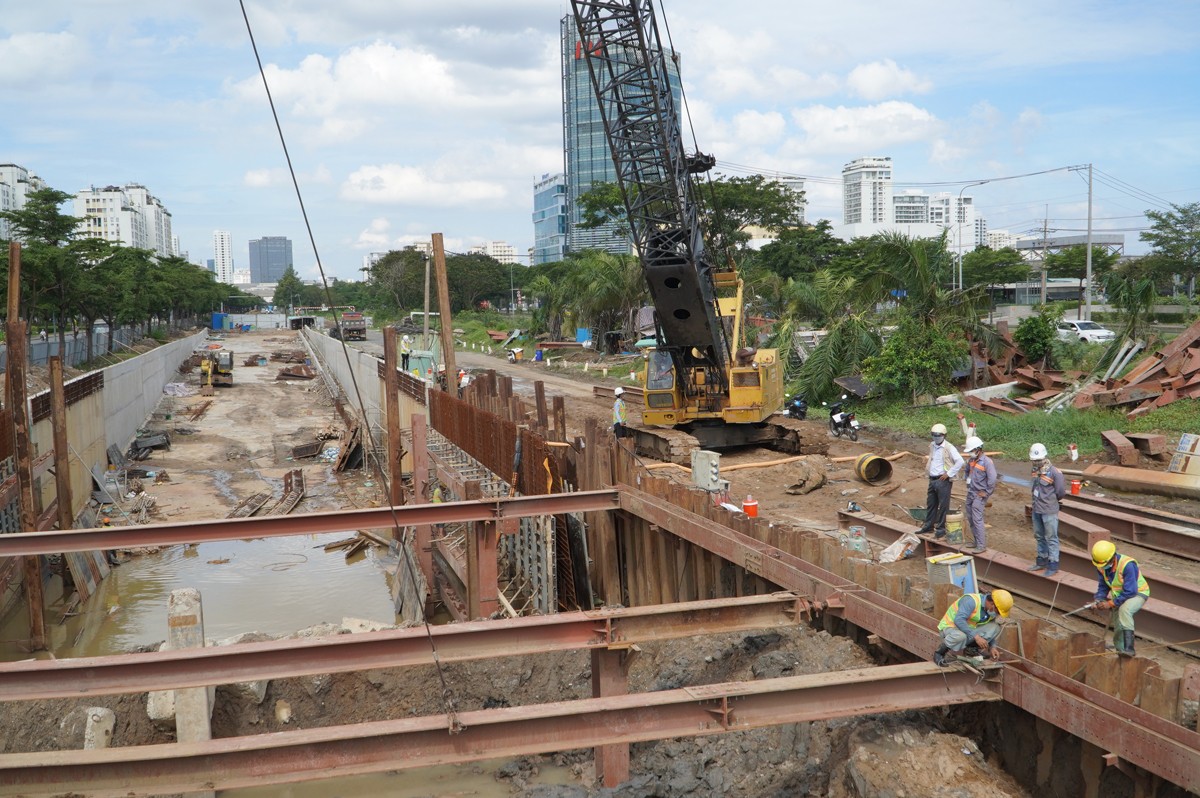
394	183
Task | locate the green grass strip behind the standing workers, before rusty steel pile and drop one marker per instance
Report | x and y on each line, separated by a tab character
1013	435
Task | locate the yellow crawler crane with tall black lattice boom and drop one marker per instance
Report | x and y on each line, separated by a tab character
704	385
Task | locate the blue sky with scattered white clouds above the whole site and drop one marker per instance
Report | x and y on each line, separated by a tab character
417	117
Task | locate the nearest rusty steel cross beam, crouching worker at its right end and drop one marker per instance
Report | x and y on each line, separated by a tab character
515	731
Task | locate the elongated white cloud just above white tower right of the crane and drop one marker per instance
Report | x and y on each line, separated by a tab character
866	128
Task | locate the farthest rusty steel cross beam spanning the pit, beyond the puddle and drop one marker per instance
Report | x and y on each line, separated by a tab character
410	515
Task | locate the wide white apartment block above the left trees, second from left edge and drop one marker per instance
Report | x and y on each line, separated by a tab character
129	215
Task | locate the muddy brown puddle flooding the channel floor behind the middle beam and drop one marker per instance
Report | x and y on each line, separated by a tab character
274	586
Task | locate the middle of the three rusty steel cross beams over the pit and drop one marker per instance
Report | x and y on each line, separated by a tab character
65	679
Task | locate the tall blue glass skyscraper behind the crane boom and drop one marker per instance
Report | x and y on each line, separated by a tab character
586	153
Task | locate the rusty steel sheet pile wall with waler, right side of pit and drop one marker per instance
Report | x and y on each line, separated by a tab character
1125	707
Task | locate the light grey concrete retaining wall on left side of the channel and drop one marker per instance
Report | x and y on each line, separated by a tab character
133	388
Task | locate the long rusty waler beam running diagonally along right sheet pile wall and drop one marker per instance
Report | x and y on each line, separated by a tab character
1137	736
